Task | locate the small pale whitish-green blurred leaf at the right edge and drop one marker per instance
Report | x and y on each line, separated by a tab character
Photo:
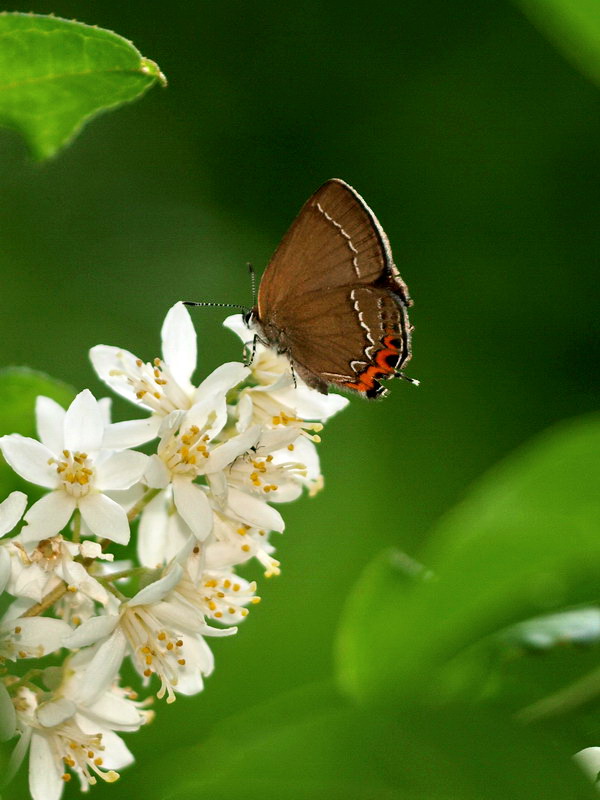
579	626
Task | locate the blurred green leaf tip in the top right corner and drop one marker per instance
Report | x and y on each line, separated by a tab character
573	26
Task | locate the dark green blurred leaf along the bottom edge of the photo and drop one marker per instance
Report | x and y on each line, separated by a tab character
310	746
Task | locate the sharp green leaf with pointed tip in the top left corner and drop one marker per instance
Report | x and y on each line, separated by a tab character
55	75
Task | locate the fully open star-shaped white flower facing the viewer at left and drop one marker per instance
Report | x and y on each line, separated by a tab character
71	462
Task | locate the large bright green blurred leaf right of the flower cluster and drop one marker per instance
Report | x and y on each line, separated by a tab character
520	543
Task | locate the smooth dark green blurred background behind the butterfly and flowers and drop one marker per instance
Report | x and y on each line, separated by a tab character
474	141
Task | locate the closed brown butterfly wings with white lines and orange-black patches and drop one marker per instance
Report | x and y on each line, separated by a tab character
332	298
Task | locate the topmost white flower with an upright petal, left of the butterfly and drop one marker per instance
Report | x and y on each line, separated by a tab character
165	385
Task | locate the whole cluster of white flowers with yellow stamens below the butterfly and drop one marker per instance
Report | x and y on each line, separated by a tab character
198	508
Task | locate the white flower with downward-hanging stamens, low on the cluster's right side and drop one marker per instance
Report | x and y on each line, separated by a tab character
162	637
